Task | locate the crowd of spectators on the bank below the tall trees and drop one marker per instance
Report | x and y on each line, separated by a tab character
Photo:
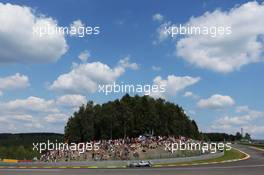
142	147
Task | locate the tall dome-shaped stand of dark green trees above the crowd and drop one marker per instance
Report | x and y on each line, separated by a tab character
129	117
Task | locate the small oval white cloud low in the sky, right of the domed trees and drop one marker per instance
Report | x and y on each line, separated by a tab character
216	101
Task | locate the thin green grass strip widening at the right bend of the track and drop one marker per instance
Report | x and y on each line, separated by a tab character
228	155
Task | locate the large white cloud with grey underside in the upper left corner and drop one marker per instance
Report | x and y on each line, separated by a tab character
18	43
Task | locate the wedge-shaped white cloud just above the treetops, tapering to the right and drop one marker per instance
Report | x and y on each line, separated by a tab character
173	84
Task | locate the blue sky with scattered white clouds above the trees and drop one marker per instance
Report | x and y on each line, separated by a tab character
217	80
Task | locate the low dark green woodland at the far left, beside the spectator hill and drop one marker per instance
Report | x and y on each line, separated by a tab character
19	146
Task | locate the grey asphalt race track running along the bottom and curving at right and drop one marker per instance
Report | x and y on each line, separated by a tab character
252	166
